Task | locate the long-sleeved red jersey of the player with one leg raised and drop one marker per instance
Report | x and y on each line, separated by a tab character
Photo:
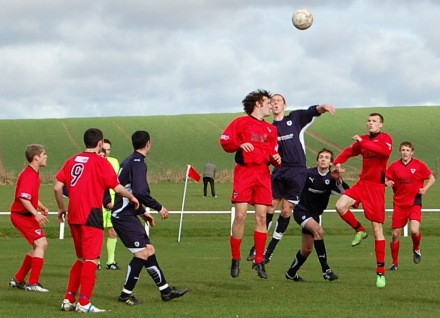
375	150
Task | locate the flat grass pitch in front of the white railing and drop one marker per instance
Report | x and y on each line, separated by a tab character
201	262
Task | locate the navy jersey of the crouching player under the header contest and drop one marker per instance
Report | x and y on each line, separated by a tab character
317	190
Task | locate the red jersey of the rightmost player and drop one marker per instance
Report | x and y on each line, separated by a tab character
408	179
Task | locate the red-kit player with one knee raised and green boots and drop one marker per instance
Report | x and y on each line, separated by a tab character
375	149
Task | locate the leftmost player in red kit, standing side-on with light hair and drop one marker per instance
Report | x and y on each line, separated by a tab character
26	218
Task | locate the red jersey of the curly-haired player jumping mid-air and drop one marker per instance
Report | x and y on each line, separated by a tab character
262	135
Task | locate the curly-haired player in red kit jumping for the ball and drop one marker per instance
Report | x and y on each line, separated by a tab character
255	144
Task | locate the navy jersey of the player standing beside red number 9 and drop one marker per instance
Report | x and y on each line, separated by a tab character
133	176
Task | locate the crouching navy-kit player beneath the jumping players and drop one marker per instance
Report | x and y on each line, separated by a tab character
320	184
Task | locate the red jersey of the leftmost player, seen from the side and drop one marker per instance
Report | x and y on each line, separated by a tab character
28	188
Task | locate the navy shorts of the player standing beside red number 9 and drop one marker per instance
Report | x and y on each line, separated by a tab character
130	230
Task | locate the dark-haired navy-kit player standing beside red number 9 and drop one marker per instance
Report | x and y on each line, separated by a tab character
133	175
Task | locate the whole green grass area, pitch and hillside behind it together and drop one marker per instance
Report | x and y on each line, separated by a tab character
201	260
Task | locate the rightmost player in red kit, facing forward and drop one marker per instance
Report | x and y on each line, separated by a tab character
407	177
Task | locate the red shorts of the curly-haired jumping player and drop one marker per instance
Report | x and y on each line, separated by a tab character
252	184
